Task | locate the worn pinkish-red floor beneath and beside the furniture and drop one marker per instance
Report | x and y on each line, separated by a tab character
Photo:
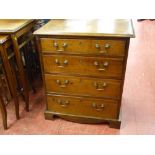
138	103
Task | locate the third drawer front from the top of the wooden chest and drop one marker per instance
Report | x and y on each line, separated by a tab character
83	86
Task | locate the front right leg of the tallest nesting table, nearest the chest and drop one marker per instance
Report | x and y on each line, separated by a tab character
21	71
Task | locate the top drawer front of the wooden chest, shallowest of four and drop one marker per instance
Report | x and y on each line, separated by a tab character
78	46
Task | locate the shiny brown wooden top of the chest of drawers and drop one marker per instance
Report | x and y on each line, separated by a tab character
97	27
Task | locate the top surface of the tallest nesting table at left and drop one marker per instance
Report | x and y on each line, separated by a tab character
13	25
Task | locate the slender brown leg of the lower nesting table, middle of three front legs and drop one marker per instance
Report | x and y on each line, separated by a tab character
11	80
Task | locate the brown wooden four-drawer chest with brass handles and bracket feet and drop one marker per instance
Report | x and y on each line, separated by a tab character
83	68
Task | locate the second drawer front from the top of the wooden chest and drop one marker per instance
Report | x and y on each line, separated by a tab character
94	66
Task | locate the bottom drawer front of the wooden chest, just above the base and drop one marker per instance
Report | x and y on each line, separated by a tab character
83	106
